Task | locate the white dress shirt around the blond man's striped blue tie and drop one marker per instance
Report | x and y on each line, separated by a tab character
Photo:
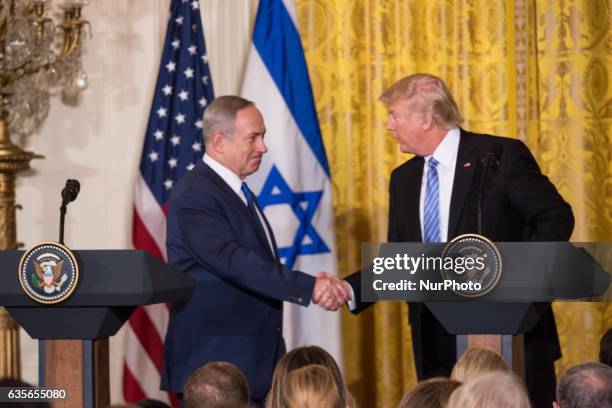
446	156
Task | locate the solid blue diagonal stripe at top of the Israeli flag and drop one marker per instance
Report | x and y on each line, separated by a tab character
277	40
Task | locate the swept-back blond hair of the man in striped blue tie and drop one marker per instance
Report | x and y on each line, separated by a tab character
428	94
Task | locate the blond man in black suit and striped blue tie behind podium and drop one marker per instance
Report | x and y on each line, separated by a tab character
435	196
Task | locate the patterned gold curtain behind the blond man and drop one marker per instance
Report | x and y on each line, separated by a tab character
537	70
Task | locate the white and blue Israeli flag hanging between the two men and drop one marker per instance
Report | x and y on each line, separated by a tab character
293	183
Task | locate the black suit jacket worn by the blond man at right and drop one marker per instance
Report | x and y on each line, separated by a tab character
520	204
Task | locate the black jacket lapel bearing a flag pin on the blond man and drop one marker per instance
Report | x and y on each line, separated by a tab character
467	161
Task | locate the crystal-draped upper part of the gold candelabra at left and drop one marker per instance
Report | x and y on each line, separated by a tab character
38	58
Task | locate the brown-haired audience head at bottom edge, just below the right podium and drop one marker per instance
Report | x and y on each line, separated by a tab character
432	393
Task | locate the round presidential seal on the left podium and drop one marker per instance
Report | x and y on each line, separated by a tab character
48	273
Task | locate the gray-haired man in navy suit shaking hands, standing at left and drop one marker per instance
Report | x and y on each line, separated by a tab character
218	235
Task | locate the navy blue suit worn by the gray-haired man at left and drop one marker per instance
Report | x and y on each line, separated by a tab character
235	311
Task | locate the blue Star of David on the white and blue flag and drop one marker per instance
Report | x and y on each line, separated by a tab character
304	205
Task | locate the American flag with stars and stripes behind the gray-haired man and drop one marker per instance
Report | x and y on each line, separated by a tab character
172	146
